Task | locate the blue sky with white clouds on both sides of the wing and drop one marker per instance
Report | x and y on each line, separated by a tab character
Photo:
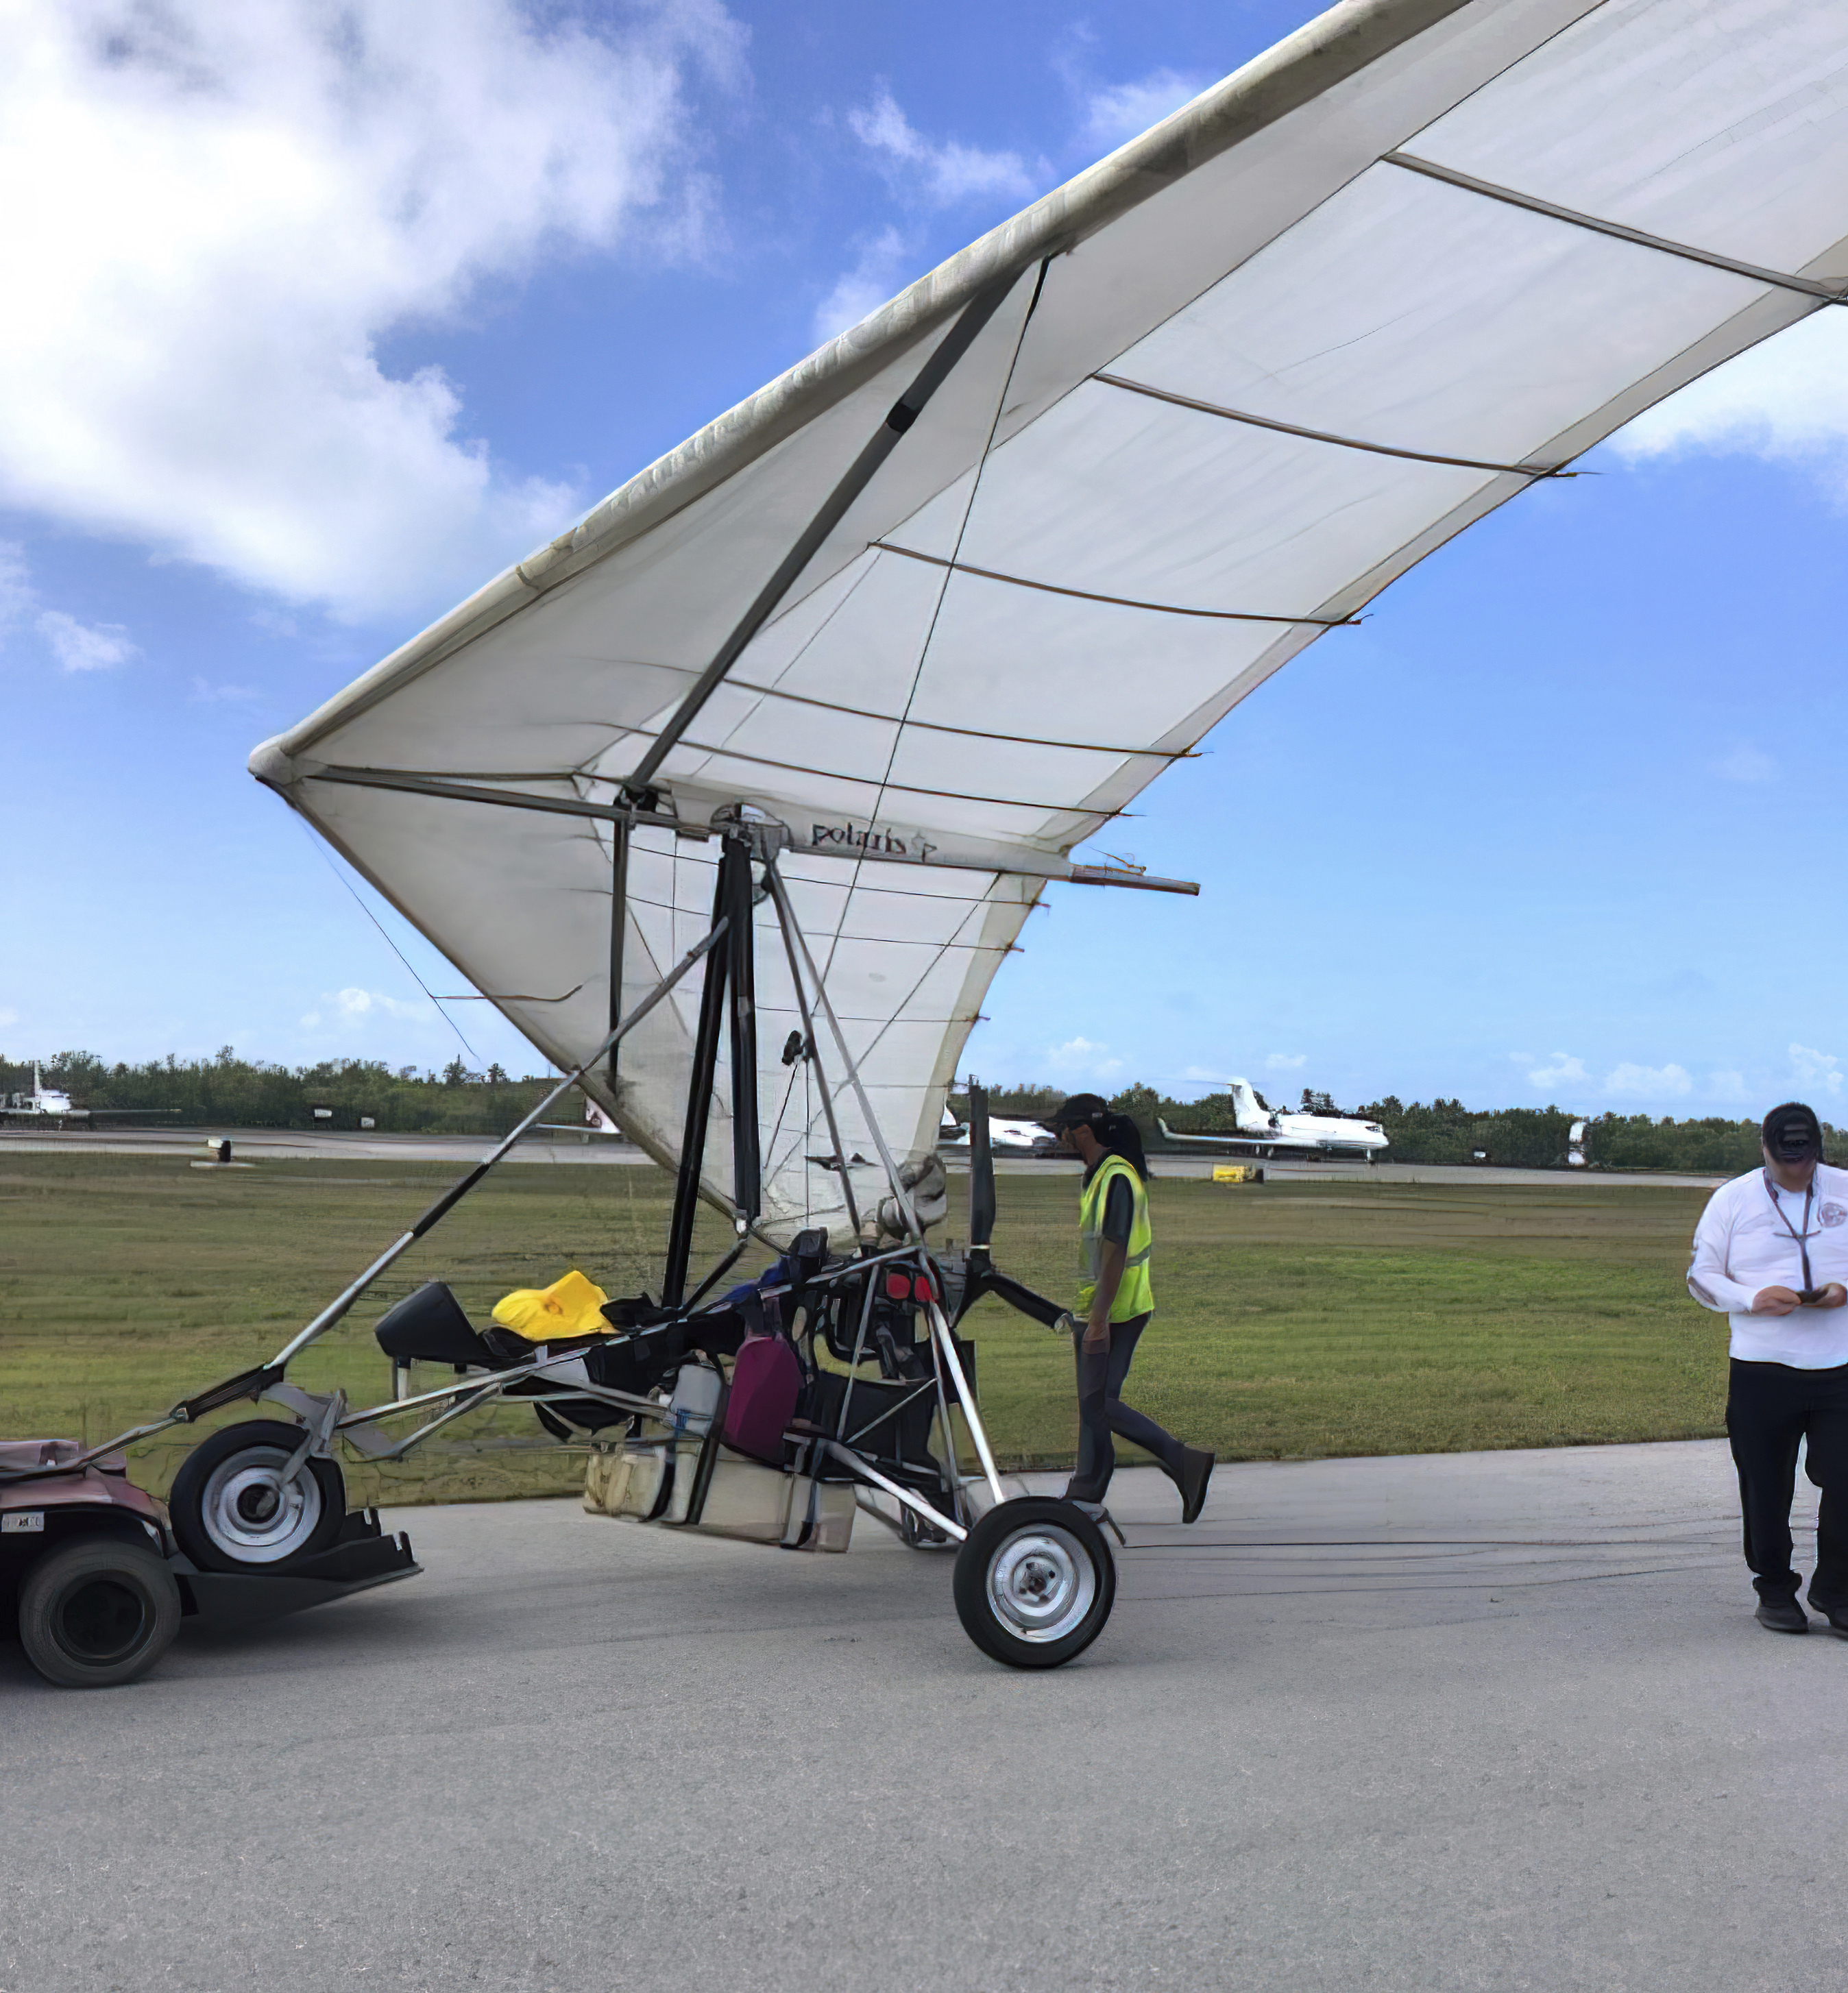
318	342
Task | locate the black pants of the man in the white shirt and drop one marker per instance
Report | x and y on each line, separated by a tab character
1769	1410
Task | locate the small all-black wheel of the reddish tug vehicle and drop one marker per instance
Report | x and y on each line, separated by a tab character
99	1613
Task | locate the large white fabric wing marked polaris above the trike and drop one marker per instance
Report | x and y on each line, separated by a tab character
1239	378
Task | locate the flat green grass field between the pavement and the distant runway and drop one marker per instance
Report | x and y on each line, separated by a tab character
1295	1320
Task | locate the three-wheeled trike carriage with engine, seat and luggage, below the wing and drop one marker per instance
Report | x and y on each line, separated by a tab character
830	1386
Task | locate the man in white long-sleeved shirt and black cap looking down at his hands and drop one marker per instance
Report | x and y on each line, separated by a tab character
1771	1253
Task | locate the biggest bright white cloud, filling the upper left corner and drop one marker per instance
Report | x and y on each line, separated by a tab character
214	214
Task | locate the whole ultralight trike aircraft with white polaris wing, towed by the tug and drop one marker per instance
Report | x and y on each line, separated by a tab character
737	794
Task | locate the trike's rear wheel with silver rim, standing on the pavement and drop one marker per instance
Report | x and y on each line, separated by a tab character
1036	1583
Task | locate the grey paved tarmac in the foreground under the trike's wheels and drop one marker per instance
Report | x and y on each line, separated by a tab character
1454	1721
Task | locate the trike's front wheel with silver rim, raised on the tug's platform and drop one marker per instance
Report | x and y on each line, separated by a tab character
218	1504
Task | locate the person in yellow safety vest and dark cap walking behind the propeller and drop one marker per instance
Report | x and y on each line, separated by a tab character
1115	1302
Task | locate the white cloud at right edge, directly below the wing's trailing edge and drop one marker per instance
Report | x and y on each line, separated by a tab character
1785	400
